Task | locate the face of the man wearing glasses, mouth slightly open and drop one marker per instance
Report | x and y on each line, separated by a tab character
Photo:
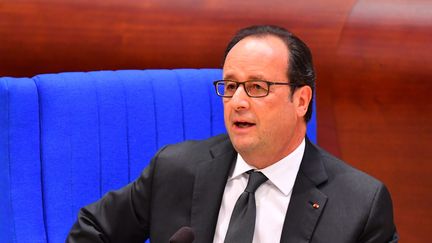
270	127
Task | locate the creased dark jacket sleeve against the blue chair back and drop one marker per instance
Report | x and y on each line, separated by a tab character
120	216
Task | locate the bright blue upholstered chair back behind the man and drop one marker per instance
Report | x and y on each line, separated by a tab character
66	139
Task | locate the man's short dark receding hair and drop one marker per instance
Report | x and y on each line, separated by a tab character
300	70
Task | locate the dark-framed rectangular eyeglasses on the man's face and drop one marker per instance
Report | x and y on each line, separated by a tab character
253	88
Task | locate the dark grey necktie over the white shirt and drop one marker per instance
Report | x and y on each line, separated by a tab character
242	224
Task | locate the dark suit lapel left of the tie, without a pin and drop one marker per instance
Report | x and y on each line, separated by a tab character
209	186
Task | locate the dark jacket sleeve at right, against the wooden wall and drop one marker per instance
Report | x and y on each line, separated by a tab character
379	226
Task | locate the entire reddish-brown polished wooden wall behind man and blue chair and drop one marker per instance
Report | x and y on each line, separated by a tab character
373	59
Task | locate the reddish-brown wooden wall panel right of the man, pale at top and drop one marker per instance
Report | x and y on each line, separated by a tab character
382	106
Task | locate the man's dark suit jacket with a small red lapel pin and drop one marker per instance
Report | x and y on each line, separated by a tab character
184	184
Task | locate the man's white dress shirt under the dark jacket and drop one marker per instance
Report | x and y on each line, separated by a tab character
272	197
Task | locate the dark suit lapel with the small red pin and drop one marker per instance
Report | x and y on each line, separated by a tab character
307	201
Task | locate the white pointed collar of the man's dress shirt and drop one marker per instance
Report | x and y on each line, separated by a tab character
282	174
